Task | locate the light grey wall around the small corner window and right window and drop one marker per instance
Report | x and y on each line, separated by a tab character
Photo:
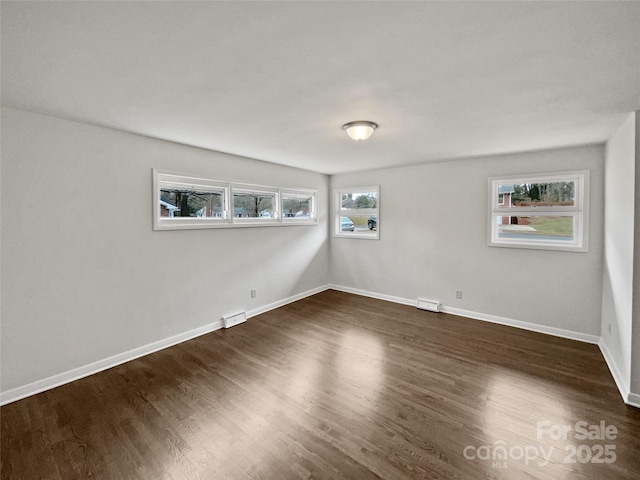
433	241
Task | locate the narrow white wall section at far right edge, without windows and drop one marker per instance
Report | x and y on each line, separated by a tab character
617	295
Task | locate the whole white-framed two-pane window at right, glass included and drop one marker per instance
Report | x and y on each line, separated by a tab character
544	211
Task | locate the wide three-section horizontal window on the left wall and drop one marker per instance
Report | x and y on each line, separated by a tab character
185	202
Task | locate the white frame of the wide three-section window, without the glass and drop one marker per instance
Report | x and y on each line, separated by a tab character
162	179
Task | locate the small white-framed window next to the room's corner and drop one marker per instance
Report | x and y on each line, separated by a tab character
356	212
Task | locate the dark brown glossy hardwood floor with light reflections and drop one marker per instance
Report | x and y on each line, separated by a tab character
334	386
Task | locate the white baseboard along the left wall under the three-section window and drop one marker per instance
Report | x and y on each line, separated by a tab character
104	364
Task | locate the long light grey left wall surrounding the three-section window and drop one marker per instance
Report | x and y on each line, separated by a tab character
85	278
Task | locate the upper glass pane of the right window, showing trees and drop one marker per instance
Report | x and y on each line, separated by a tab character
524	195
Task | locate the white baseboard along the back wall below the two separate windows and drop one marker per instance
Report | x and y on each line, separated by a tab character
558	332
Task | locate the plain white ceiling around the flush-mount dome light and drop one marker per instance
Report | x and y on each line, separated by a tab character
276	80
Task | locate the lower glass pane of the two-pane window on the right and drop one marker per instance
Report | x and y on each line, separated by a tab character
536	228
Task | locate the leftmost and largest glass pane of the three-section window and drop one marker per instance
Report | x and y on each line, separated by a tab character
183	202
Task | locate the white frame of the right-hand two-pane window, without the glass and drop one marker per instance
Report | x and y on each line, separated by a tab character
579	211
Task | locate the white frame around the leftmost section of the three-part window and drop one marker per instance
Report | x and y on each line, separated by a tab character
167	179
